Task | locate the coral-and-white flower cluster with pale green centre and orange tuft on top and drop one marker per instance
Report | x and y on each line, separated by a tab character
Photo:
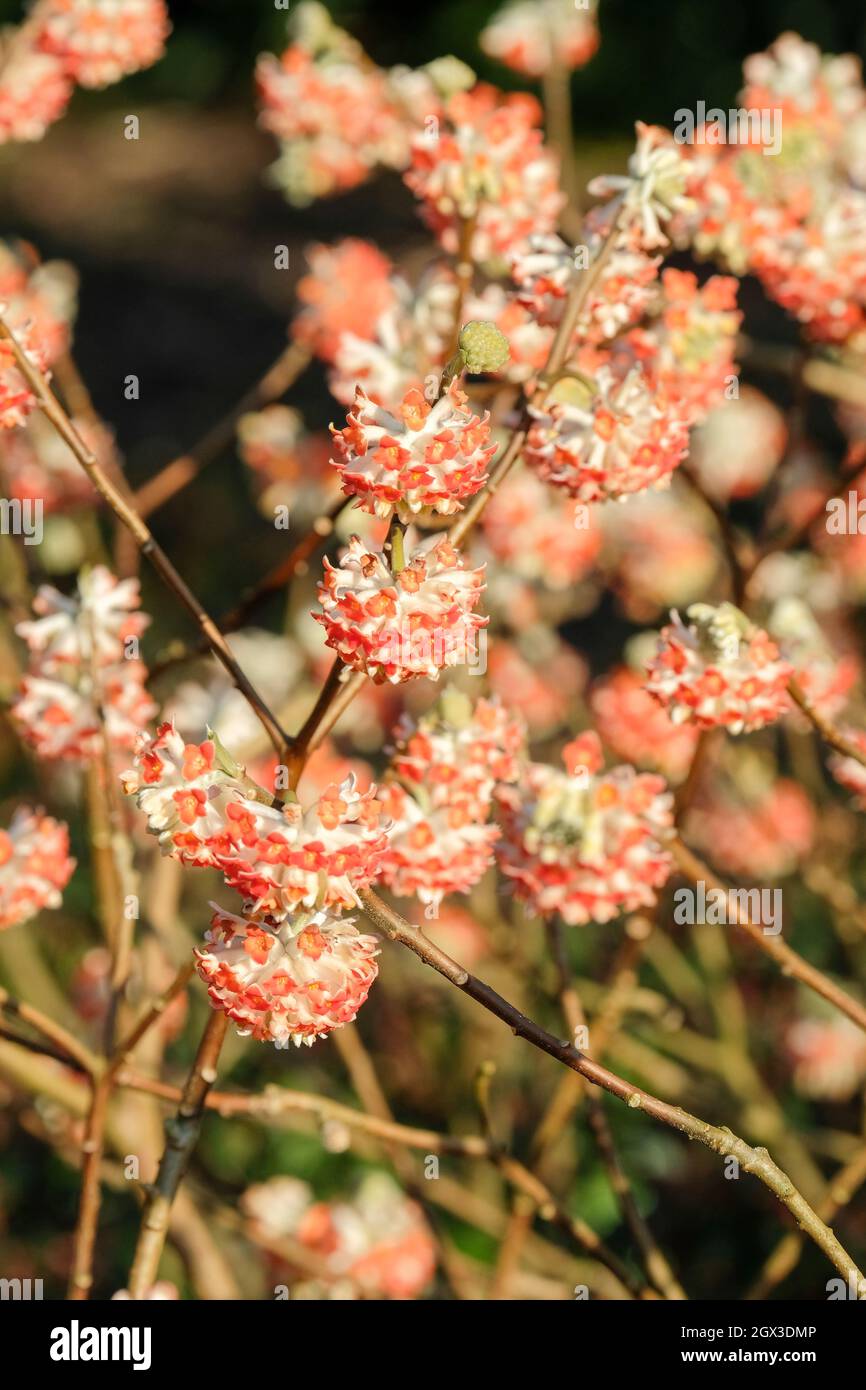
583	843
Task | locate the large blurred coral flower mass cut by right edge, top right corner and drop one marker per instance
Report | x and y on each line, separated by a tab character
783	197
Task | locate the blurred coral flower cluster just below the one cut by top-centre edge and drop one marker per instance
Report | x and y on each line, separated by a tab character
487	167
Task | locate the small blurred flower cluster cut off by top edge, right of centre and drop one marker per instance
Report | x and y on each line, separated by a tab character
534	37
